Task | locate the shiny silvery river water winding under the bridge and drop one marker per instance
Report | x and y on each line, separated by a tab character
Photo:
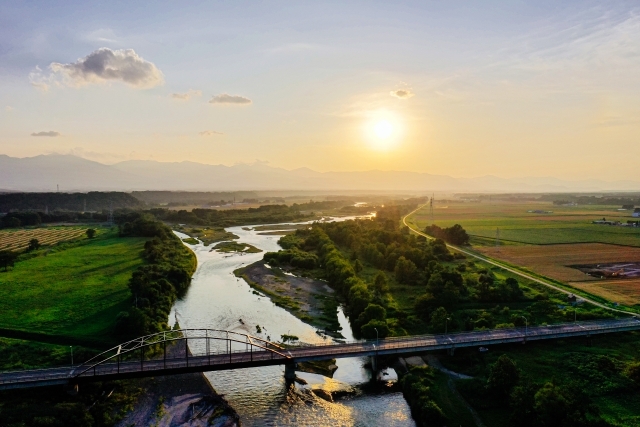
217	299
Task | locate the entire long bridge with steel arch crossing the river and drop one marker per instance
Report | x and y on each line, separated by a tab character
201	350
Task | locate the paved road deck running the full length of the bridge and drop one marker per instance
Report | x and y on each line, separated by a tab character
245	359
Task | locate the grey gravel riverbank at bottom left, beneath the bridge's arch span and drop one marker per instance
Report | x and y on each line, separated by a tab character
180	400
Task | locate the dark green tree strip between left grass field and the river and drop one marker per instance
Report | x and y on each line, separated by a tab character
155	285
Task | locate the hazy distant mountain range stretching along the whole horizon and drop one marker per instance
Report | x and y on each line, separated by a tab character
71	173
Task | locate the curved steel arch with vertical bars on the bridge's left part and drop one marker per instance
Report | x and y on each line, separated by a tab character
126	352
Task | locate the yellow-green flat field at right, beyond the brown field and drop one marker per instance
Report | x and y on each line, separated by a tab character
567	224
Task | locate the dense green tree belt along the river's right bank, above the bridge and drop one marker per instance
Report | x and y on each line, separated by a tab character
341	250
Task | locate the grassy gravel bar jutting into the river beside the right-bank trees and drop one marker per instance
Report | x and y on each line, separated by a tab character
310	300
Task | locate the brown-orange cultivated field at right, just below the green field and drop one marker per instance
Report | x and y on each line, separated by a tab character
554	260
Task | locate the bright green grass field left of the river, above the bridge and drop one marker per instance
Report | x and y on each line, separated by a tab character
74	293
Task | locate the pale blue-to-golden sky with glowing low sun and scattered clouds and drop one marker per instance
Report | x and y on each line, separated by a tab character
460	88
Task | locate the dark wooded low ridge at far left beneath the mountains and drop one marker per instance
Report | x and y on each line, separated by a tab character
94	200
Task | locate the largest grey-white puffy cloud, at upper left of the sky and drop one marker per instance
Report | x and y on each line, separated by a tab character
100	66
